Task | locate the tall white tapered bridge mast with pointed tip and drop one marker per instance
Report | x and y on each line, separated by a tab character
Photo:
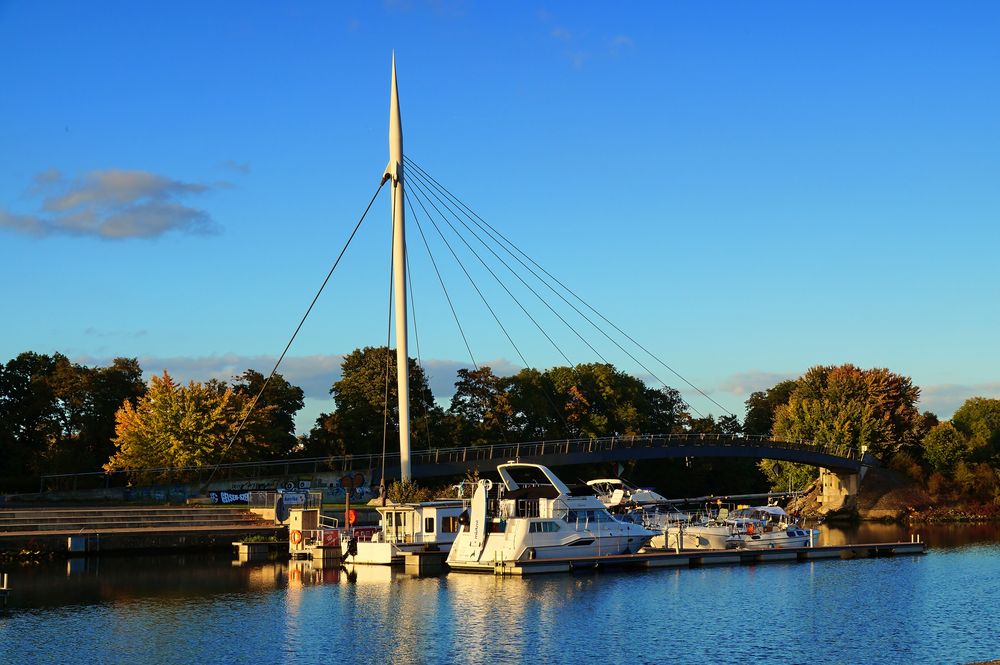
395	171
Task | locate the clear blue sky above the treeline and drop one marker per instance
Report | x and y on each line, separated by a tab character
748	189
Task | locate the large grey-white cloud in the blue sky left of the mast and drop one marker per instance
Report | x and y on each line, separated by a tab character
112	204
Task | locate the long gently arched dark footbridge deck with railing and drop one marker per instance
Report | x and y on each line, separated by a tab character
432	456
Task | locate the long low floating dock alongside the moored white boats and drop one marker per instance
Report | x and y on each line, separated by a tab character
697	558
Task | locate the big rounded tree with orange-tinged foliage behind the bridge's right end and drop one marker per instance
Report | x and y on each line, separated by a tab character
873	408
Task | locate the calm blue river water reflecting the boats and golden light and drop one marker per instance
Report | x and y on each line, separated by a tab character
940	608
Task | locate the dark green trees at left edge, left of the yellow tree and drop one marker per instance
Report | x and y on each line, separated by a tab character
58	416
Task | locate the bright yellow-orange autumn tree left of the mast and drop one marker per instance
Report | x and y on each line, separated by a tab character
175	426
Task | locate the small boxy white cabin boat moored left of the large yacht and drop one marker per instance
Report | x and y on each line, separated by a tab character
404	527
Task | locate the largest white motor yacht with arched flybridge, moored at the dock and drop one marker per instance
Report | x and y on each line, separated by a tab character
532	514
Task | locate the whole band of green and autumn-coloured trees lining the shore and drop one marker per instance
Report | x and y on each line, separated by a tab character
57	416
